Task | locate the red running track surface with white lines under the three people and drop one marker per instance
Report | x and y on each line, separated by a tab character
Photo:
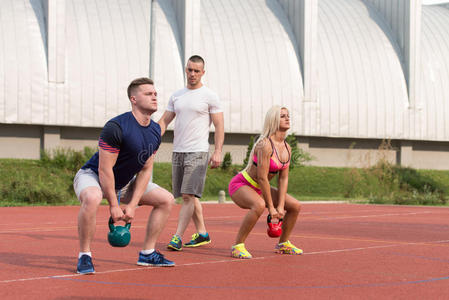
350	251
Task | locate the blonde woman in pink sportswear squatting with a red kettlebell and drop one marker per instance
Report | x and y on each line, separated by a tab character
250	189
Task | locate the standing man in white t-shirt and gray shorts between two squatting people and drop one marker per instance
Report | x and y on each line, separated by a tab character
195	108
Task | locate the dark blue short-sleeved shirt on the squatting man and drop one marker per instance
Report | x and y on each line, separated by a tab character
136	143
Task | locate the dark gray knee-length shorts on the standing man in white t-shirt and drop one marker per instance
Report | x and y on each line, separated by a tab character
189	173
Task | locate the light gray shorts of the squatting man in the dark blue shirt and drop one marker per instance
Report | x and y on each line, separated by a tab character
87	178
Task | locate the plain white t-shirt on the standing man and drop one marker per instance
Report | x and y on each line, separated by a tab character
193	109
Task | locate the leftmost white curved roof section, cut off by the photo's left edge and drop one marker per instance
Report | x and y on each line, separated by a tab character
23	64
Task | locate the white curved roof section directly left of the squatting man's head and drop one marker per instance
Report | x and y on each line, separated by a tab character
106	48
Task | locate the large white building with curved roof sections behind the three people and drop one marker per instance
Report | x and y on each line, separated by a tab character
352	72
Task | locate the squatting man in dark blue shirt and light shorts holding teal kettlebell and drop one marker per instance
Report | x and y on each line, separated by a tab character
121	172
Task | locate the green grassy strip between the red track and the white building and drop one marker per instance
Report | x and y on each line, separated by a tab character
45	182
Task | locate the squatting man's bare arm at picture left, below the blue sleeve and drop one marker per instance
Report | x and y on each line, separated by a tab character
107	182
